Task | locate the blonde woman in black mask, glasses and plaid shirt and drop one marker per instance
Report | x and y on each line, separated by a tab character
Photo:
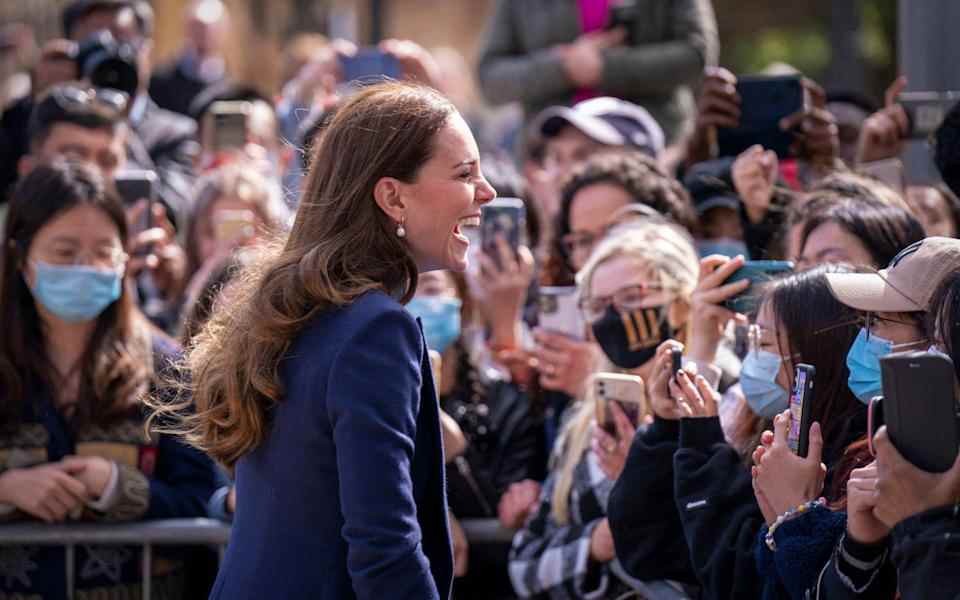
635	293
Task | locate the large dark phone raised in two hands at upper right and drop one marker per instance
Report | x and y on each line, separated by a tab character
764	101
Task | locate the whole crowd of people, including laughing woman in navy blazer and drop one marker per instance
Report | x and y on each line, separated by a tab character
209	296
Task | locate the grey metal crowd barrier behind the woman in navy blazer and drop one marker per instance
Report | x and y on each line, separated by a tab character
169	532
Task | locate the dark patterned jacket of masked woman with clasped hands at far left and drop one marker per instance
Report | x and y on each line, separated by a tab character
156	479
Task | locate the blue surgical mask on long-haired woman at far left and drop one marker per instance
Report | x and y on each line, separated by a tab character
75	293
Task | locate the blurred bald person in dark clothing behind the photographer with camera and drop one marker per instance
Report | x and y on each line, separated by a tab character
200	63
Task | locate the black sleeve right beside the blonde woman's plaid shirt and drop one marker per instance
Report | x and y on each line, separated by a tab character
646	527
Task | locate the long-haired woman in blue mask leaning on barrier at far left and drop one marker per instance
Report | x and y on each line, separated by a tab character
76	359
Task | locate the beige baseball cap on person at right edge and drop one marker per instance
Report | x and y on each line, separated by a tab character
906	285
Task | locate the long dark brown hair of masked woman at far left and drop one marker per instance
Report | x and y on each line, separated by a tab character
116	366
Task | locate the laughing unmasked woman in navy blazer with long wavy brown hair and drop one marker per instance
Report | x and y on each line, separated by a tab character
315	383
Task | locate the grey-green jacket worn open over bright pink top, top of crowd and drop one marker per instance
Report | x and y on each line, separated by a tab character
672	43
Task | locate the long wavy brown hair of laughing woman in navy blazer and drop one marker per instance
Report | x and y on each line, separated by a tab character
341	246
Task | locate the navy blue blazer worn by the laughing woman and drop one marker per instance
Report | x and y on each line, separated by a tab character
345	498
